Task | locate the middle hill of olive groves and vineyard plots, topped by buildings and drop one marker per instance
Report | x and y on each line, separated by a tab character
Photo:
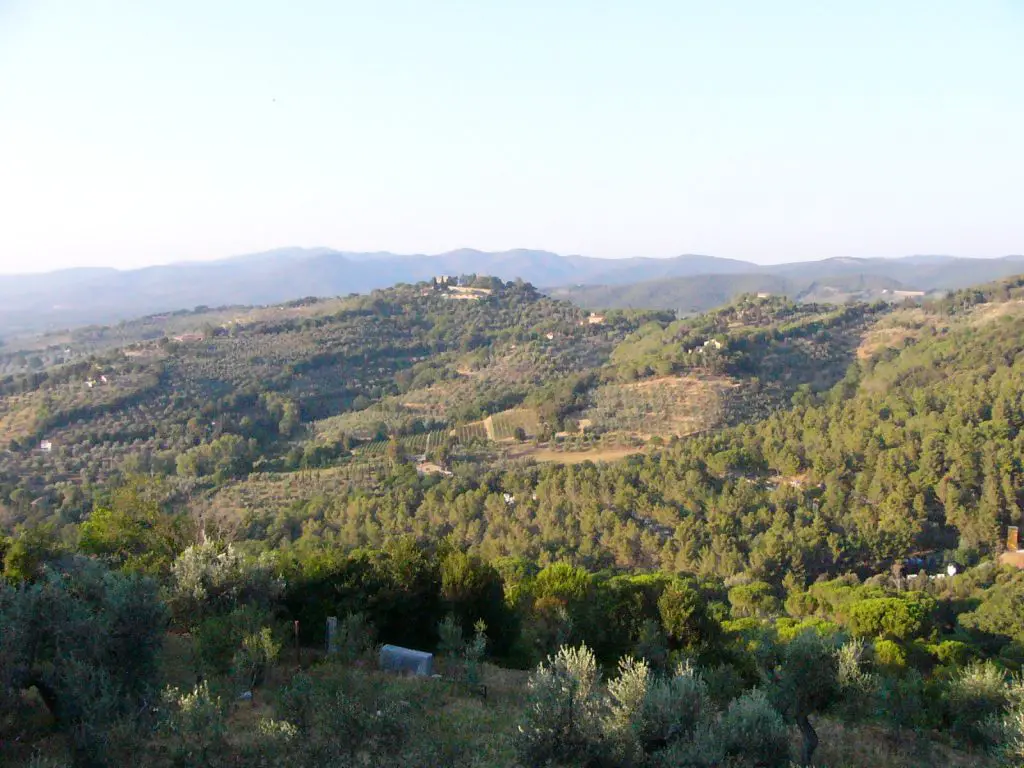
473	375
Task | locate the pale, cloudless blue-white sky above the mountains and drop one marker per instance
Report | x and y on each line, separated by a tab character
143	132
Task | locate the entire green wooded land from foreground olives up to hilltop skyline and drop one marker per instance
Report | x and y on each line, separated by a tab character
745	521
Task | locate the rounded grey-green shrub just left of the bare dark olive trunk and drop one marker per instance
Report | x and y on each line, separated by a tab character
753	733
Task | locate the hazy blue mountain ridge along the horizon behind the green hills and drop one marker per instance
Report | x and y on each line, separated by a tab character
83	296
